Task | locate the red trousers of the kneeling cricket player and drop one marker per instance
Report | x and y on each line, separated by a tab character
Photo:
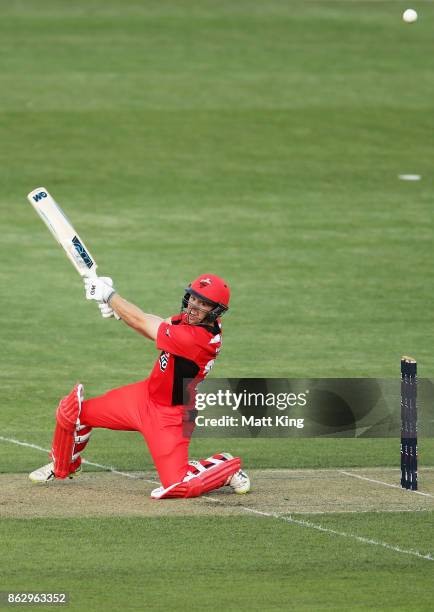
129	408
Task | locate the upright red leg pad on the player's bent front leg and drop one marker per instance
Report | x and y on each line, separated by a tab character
62	450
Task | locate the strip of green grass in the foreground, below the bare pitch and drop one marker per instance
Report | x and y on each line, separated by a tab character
219	564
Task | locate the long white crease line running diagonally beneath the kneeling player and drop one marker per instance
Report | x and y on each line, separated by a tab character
287	519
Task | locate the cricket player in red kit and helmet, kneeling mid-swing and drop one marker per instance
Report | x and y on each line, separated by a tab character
189	343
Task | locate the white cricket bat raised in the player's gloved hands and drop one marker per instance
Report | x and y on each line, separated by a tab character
63	231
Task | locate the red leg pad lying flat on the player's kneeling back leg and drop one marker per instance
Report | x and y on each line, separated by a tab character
212	478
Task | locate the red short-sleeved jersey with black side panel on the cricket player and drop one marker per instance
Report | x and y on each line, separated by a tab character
187	352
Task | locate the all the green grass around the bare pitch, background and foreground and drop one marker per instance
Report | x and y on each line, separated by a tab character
261	141
